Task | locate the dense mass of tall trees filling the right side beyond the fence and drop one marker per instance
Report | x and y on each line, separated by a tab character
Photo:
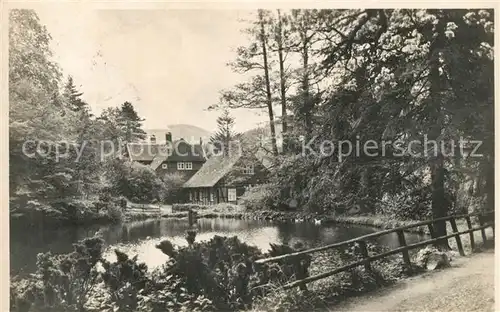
392	75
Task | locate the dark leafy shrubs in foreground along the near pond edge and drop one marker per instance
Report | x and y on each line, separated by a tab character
219	274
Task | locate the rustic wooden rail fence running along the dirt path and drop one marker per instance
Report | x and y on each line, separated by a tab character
404	247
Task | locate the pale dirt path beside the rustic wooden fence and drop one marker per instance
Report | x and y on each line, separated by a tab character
469	285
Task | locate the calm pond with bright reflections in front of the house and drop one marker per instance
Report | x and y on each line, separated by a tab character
141	237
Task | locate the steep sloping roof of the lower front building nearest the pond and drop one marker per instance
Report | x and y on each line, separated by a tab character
212	171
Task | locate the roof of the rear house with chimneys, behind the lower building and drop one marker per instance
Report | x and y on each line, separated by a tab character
179	150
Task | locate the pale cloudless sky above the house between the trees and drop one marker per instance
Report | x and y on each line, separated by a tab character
171	64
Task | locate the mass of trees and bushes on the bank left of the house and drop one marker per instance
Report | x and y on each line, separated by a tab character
62	157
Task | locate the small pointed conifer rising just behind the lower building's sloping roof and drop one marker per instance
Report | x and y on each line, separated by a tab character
225	136
